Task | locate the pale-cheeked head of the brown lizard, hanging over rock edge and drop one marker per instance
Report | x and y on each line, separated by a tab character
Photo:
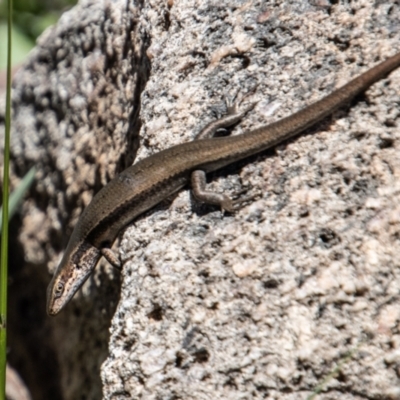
72	272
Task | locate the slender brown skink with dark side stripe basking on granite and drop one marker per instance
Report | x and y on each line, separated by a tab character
153	179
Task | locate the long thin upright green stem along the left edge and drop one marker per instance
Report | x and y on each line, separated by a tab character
4	233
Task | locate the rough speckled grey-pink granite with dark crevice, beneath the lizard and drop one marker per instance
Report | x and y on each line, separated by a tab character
260	304
